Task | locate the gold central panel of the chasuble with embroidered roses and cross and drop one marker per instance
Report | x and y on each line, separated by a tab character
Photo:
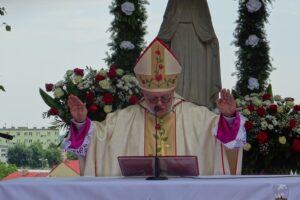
166	135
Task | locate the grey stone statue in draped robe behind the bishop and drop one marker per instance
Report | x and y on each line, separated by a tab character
187	29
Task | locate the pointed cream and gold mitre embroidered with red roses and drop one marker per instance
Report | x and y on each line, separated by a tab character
157	68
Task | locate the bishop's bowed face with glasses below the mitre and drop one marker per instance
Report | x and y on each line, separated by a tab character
161	100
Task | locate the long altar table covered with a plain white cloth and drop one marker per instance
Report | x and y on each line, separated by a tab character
184	188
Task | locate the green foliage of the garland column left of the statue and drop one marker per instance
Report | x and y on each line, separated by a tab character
126	28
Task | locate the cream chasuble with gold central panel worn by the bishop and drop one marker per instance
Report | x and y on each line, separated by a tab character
187	130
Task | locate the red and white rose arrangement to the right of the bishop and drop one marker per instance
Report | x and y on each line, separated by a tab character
273	134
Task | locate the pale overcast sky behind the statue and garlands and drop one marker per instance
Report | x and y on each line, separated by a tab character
49	37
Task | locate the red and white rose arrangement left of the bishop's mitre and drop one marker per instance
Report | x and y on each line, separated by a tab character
102	91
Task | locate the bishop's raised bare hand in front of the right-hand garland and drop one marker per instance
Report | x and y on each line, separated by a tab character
226	103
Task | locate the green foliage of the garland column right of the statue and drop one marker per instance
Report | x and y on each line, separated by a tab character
252	61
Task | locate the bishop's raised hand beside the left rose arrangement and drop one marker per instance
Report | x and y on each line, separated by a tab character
77	108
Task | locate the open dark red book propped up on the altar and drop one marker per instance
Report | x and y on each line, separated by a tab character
169	165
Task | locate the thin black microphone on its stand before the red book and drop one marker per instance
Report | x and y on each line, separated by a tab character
156	160
